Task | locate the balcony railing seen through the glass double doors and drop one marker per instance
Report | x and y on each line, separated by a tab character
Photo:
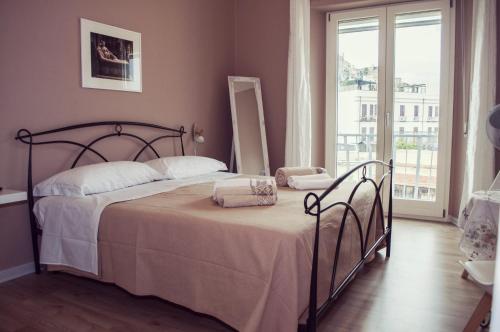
415	157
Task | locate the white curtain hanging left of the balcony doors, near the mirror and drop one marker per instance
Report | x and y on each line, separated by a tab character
298	117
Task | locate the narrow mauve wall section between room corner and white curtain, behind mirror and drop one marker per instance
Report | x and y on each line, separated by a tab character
261	35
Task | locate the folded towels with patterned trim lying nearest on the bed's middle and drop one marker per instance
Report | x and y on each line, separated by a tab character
245	192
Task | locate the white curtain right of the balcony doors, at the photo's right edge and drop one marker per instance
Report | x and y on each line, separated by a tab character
480	154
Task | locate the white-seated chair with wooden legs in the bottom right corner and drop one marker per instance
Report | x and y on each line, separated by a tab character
482	273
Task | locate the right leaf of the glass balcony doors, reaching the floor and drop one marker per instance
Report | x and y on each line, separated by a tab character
418	95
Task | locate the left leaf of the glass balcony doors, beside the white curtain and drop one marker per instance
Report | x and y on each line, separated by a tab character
359	74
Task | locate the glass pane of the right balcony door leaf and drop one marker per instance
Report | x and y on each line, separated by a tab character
416	104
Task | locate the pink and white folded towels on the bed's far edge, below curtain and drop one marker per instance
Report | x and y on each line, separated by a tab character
304	178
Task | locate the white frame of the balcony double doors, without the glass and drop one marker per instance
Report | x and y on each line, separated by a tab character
385	95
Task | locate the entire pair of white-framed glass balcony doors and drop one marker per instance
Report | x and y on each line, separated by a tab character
388	96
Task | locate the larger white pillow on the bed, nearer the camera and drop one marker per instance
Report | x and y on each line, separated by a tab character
96	178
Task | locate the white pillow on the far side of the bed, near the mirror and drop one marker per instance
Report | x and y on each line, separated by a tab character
185	166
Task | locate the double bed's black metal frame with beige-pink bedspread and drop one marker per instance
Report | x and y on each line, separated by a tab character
274	268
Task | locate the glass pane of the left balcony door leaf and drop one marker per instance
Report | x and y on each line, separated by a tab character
357	79
